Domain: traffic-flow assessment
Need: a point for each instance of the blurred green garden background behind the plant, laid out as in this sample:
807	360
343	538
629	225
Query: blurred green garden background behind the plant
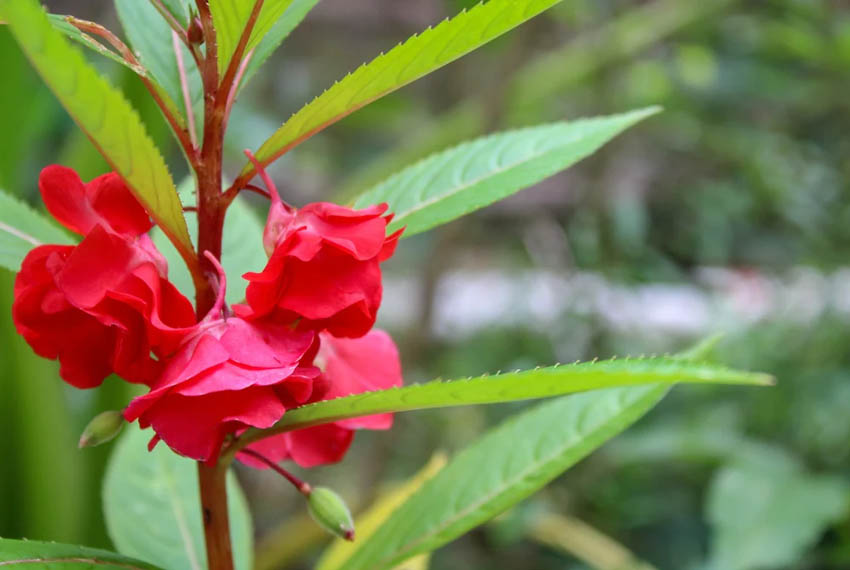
729	212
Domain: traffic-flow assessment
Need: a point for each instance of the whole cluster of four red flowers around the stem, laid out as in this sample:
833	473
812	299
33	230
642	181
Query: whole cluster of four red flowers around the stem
304	334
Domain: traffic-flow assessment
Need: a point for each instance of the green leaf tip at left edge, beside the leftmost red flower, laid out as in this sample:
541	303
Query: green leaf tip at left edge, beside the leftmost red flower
21	229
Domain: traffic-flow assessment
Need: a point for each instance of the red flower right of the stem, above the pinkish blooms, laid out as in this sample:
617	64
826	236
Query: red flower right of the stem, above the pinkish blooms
324	271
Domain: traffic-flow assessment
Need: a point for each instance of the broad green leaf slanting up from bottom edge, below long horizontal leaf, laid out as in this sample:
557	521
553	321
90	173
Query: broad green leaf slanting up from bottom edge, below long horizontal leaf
504	467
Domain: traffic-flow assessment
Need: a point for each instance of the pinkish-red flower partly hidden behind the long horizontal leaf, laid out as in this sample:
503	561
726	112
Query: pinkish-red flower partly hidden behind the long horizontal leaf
349	366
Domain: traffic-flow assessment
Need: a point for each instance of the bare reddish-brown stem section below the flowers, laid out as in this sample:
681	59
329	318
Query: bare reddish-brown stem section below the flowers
212	482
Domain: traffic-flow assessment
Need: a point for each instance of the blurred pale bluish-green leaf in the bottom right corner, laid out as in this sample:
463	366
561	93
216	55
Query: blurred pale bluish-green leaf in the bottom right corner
766	513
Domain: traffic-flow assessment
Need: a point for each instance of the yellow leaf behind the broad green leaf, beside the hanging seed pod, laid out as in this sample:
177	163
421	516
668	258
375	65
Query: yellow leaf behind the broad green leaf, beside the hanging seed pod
368	522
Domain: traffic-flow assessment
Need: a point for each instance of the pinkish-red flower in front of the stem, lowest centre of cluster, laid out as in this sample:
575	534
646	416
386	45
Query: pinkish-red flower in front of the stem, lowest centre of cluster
227	376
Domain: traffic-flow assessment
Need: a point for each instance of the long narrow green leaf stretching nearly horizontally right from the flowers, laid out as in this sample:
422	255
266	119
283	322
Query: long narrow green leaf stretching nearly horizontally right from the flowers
538	383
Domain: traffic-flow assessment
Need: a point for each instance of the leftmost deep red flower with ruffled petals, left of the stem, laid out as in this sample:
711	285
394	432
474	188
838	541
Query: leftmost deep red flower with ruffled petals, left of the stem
104	305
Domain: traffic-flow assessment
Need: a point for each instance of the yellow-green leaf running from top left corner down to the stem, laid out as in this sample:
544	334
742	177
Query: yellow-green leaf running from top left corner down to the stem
102	112
